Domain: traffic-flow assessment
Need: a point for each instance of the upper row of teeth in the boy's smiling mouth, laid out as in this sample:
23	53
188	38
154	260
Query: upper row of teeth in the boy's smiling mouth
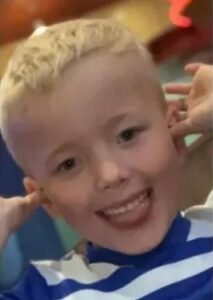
127	207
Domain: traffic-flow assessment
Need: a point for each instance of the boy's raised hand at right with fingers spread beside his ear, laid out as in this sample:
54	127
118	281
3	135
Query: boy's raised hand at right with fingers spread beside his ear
196	110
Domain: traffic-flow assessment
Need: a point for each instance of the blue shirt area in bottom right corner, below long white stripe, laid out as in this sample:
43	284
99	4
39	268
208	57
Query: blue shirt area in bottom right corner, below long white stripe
198	287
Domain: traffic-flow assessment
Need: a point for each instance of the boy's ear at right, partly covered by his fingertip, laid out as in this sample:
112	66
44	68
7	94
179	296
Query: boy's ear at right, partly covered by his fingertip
172	118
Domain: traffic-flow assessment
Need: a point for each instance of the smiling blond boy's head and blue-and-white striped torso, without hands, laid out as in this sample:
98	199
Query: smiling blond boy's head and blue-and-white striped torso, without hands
83	114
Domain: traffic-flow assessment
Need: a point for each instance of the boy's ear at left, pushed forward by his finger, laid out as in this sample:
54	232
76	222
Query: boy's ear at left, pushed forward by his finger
32	186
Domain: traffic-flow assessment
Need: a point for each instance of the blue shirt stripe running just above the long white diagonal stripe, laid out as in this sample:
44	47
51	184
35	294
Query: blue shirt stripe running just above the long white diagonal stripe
35	287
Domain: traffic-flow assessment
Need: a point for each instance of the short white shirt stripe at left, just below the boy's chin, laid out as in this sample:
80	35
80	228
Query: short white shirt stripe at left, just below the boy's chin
76	269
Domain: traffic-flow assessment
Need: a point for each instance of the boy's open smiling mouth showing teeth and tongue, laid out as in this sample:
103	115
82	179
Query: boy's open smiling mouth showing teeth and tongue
131	212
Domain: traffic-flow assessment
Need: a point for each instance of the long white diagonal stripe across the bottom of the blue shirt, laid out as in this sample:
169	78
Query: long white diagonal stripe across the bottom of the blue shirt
151	281
